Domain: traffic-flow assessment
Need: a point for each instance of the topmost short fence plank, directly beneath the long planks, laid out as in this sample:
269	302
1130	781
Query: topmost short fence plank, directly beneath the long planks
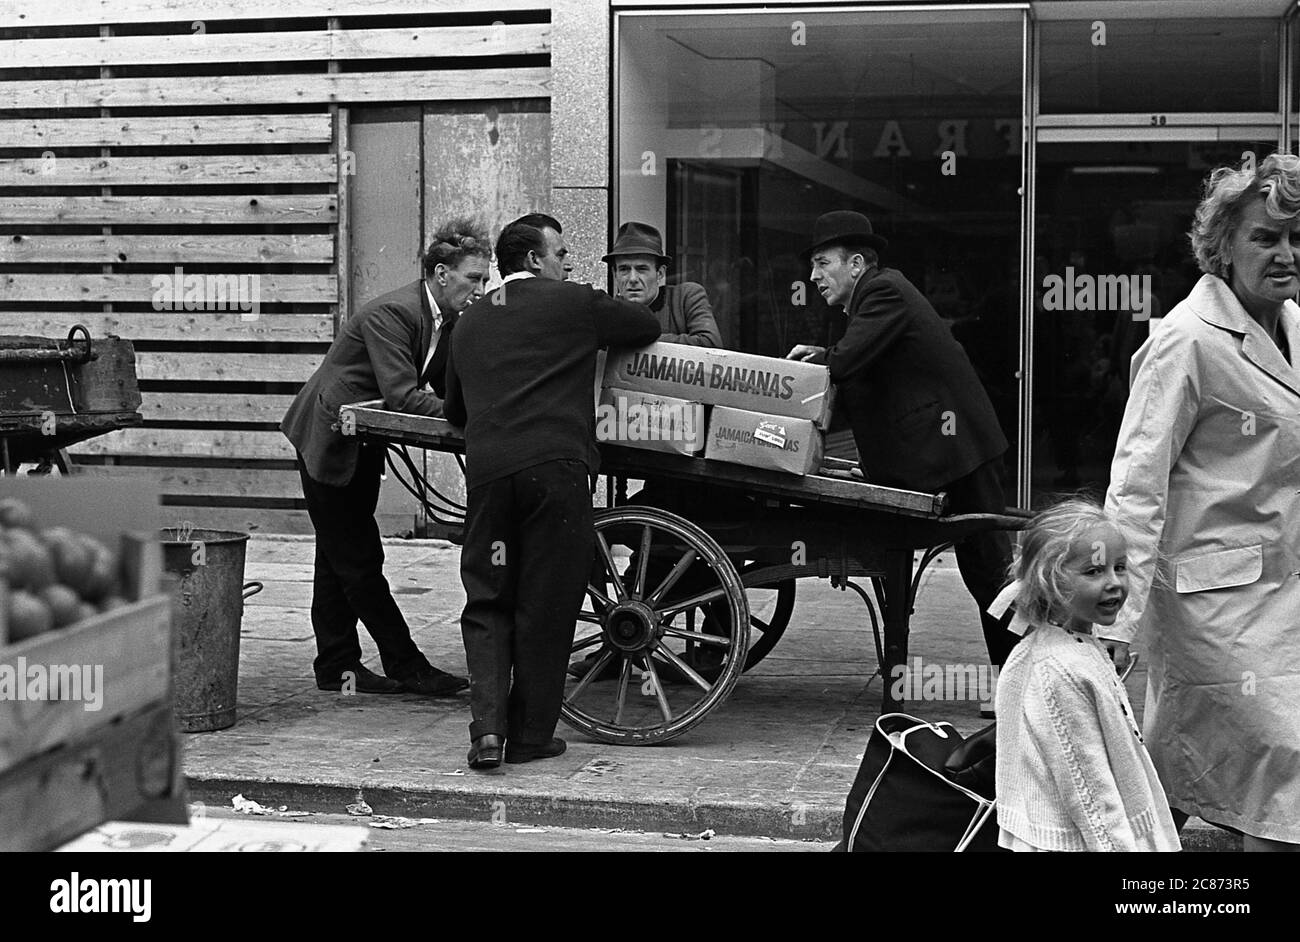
172	131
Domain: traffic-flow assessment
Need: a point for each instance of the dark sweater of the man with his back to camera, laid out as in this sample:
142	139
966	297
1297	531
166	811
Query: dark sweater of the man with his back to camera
521	374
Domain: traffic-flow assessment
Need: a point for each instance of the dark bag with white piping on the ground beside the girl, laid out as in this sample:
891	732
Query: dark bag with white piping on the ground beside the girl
904	801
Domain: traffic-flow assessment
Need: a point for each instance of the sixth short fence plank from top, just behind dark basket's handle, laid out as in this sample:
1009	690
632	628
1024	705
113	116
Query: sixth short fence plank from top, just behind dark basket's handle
224	327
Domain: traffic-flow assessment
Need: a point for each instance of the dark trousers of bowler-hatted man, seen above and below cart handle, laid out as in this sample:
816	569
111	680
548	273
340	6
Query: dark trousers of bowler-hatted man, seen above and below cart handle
985	558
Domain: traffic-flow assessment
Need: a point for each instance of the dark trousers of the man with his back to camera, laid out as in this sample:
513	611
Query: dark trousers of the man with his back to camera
530	542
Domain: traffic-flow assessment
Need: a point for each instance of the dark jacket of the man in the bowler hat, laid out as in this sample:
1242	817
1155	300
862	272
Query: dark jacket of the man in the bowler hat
921	418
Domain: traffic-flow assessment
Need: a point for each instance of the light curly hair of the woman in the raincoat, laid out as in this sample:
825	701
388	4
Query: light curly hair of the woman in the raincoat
1277	180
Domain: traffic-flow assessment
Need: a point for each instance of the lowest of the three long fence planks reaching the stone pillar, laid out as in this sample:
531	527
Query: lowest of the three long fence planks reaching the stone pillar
345	88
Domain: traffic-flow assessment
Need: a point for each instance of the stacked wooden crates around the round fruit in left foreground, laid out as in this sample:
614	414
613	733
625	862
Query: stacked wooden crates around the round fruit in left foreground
67	769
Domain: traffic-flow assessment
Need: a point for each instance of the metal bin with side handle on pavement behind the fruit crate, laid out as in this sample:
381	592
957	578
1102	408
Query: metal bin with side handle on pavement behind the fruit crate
207	609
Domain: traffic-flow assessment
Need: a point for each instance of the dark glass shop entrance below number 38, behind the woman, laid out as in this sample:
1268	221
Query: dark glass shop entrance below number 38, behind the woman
1112	257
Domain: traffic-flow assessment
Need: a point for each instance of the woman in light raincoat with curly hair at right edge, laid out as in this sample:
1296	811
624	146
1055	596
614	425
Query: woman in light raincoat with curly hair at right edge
1206	484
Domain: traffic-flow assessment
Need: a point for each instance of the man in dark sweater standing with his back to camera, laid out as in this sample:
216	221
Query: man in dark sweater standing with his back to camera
519	381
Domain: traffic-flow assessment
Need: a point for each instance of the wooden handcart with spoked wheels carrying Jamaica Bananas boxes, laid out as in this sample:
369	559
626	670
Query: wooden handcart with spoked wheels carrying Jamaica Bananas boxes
679	609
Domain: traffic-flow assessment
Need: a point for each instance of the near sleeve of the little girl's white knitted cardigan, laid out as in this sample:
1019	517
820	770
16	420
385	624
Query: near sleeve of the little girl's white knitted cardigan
1071	737
